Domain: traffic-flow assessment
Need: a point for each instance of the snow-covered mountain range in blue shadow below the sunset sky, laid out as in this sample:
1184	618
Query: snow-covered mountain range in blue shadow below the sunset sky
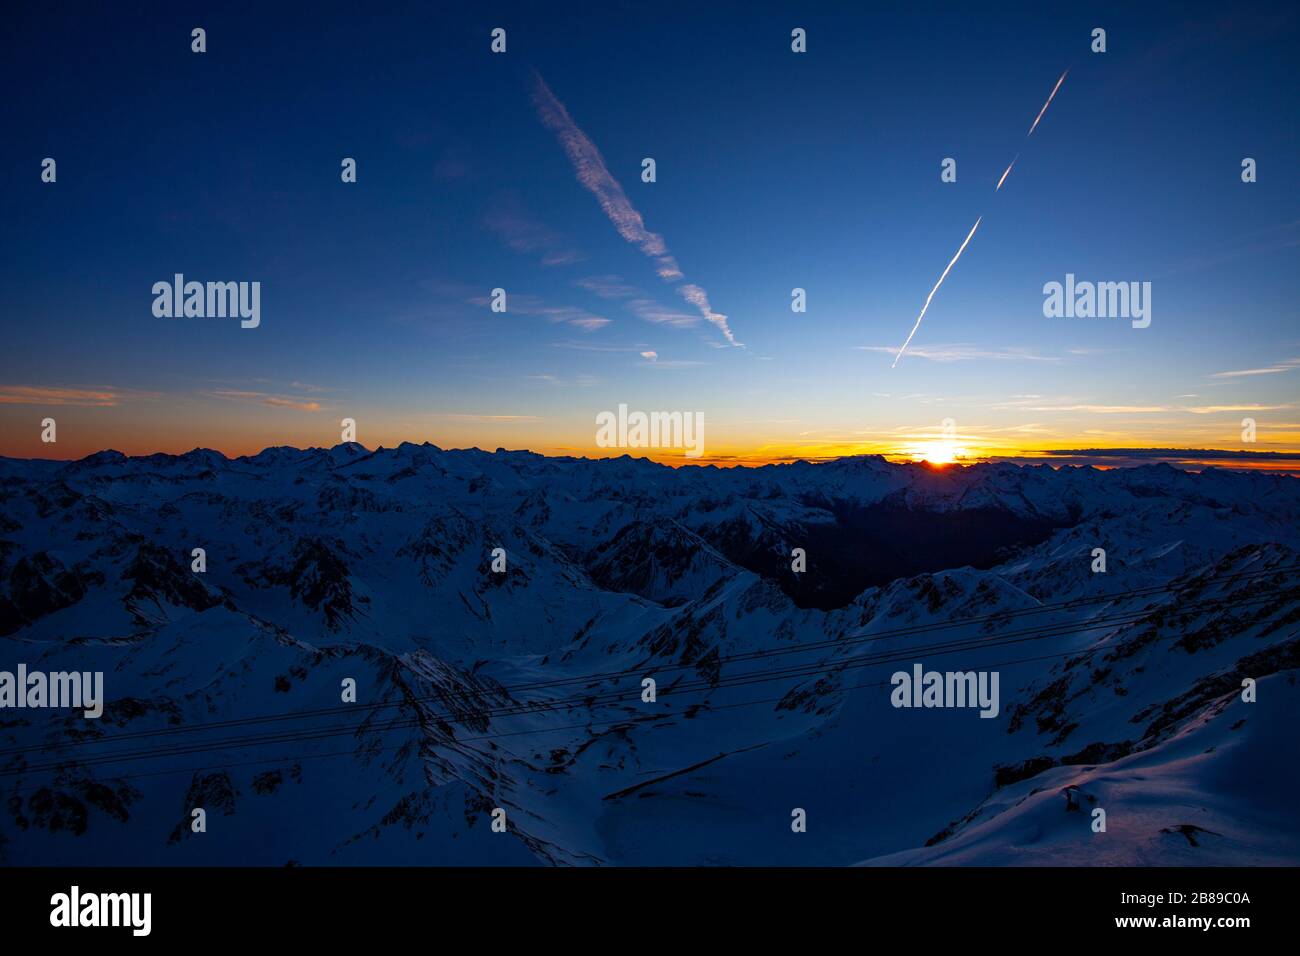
521	690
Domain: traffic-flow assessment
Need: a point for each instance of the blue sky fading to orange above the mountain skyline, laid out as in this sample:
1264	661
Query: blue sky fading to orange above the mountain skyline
522	171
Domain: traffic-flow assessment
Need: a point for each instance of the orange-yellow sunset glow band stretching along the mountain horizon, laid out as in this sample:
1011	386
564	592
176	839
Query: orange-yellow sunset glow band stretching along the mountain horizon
180	430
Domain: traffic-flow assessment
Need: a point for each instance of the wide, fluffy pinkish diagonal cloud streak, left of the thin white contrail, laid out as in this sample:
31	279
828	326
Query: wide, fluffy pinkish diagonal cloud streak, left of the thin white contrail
593	175
